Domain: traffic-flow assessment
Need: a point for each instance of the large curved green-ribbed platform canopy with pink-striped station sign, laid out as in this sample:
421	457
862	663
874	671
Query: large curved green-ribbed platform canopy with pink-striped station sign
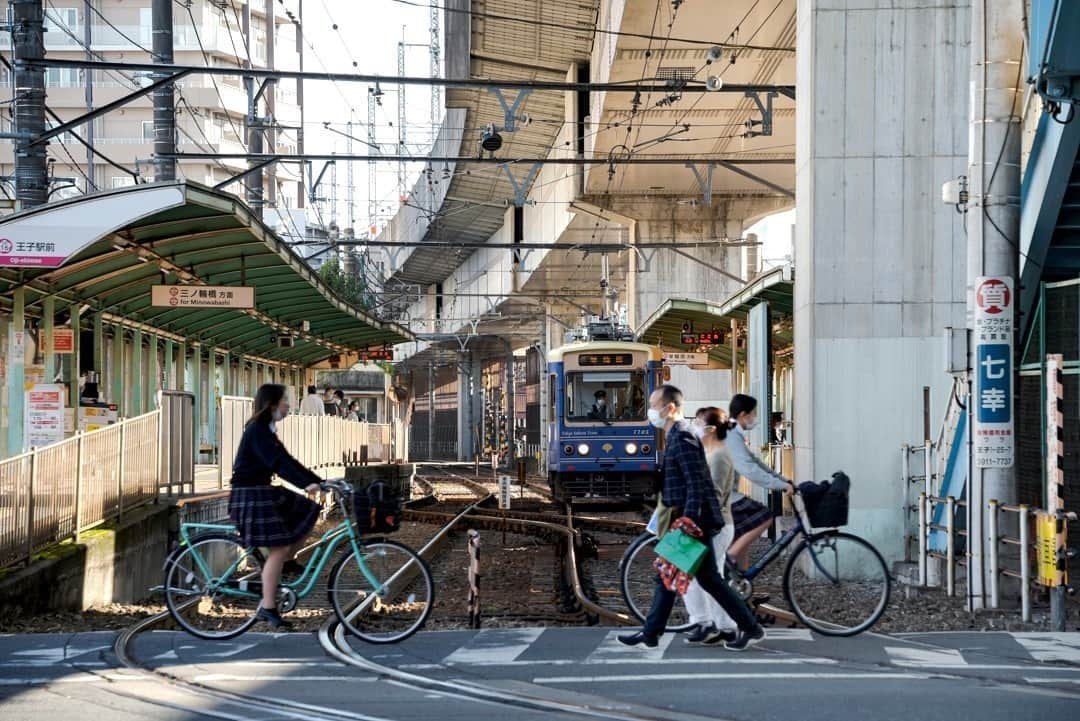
117	246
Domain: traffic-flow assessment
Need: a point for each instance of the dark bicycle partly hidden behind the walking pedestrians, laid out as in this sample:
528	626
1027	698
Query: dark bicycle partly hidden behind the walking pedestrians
836	583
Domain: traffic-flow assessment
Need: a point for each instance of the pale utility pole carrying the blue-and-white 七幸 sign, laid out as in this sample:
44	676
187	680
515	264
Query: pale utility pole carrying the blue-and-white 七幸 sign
997	59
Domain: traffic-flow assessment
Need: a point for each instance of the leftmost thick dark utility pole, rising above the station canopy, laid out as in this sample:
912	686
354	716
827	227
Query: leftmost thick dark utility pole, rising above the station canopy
32	167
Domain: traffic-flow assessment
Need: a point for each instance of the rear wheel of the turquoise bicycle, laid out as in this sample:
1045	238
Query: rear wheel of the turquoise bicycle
219	598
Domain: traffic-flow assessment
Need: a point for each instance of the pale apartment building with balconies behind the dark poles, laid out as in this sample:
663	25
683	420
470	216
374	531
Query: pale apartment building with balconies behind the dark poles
210	112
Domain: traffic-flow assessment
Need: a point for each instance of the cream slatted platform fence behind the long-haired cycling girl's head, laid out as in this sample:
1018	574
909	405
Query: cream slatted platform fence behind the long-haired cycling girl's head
318	442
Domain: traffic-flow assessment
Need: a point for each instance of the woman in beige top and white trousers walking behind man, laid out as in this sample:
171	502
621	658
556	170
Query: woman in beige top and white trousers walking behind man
713	623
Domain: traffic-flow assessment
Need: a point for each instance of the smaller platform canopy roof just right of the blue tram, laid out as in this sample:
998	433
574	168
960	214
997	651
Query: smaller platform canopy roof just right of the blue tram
777	288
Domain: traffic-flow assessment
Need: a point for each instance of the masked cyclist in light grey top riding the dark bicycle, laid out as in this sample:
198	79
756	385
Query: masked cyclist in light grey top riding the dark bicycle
752	519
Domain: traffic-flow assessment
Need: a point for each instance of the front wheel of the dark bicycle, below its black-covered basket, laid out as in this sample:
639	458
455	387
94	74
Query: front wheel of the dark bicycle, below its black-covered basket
838	584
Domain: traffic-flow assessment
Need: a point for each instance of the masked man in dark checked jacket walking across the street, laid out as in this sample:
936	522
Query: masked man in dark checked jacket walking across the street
688	489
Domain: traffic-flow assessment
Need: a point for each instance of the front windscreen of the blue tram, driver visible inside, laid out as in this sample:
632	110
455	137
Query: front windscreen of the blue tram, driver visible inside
609	397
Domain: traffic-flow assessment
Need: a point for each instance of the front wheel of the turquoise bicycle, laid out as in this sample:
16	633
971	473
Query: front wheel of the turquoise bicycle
394	610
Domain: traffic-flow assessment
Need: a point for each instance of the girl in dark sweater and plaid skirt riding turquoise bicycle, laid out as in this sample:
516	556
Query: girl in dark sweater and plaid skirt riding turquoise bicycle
271	516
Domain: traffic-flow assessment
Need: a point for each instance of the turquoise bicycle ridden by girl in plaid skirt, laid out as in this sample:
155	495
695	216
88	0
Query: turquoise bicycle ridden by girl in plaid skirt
382	591
